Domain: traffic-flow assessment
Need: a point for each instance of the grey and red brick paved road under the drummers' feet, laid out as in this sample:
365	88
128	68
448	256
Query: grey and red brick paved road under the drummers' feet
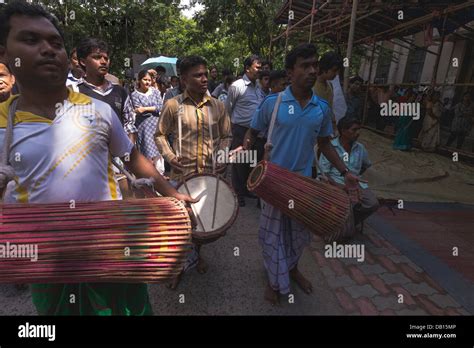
397	262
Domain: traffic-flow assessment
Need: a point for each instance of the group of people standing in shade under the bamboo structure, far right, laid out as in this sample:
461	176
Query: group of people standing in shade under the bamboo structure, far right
437	115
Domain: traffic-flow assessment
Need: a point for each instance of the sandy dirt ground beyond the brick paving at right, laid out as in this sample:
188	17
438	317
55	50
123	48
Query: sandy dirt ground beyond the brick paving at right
416	175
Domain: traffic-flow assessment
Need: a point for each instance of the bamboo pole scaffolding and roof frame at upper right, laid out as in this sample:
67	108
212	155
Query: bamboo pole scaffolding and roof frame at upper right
366	22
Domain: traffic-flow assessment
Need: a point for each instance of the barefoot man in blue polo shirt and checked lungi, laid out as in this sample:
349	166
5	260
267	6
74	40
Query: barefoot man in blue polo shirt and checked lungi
302	120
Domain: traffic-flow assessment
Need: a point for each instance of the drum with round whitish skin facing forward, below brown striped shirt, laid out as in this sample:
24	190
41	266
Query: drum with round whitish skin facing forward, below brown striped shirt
217	209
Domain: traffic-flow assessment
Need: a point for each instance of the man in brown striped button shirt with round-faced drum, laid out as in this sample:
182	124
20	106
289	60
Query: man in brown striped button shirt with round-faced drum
199	125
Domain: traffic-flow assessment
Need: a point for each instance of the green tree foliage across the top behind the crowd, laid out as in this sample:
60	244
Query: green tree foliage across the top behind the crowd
225	32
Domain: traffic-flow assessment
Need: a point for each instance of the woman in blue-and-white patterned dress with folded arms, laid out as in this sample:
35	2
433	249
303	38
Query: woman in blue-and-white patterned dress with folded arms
145	106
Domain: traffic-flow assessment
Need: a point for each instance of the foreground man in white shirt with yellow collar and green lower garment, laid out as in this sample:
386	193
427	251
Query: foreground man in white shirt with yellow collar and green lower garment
60	151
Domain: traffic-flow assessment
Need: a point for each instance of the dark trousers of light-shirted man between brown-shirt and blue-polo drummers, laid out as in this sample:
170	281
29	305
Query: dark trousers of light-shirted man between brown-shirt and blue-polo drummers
241	171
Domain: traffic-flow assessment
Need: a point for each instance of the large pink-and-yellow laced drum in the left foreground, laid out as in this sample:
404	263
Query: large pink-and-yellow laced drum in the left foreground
138	240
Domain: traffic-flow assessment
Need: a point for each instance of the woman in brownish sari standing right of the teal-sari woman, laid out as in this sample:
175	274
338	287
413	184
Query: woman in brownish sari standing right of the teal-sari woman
429	135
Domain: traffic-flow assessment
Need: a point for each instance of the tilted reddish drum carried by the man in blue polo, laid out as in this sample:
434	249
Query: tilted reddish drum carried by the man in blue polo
323	208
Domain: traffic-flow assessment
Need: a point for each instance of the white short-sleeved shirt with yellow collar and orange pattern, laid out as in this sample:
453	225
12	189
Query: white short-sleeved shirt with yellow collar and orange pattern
68	158
